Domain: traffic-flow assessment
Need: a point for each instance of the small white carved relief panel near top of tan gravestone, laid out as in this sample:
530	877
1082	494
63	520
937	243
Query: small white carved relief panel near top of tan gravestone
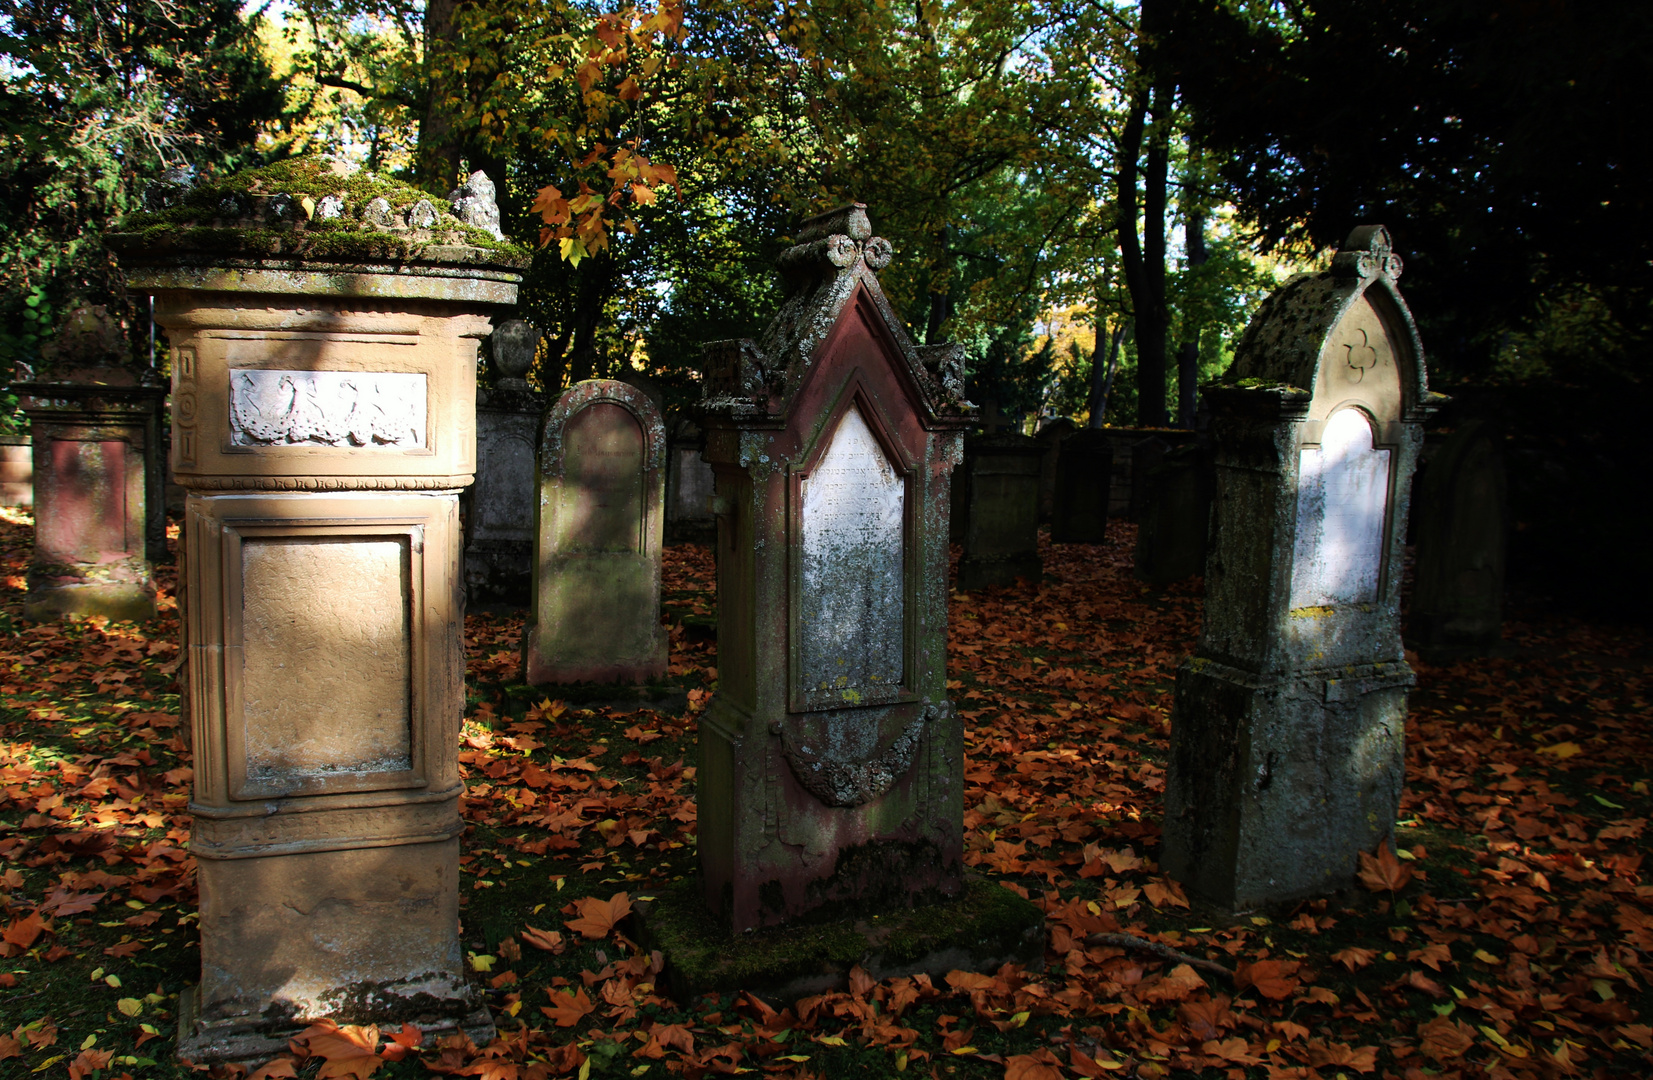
272	408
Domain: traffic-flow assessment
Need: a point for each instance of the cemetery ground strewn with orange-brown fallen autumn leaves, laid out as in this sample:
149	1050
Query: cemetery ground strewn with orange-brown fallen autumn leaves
1508	935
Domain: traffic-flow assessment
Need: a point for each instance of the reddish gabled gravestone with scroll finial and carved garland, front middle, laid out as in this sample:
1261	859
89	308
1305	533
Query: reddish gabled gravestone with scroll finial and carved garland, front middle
831	757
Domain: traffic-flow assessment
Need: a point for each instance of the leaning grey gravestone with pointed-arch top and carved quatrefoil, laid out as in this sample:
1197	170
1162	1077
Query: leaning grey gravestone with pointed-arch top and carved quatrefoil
1287	738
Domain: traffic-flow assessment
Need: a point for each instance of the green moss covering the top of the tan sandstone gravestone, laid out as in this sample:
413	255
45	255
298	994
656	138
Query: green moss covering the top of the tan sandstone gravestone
244	216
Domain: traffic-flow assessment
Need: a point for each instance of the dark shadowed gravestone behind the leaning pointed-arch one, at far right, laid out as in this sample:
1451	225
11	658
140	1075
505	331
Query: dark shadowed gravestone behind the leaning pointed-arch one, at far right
1462	527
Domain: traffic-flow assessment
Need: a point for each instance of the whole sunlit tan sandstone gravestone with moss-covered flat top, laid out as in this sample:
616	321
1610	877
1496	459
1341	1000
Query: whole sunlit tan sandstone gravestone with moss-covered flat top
325	406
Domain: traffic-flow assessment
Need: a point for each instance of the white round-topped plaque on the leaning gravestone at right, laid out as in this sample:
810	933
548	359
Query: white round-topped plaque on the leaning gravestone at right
1343	499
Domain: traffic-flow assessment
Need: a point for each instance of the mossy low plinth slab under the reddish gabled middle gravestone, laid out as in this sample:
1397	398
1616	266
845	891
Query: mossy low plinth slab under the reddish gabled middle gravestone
989	927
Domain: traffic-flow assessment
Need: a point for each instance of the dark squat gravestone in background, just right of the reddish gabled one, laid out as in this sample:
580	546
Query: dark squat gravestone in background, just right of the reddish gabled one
998	500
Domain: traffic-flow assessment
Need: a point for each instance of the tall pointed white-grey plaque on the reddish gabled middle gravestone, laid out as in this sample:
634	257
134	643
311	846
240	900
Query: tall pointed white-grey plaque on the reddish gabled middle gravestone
852	621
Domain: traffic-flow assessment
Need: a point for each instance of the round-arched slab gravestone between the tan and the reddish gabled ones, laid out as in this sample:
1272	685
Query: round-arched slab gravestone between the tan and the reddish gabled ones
603	475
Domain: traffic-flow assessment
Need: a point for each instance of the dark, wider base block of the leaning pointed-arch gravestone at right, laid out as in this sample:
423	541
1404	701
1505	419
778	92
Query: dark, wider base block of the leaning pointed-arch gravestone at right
1279	786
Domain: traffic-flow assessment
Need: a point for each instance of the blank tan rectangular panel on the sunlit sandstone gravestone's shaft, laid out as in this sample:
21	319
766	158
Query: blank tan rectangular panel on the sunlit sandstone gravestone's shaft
326	679
